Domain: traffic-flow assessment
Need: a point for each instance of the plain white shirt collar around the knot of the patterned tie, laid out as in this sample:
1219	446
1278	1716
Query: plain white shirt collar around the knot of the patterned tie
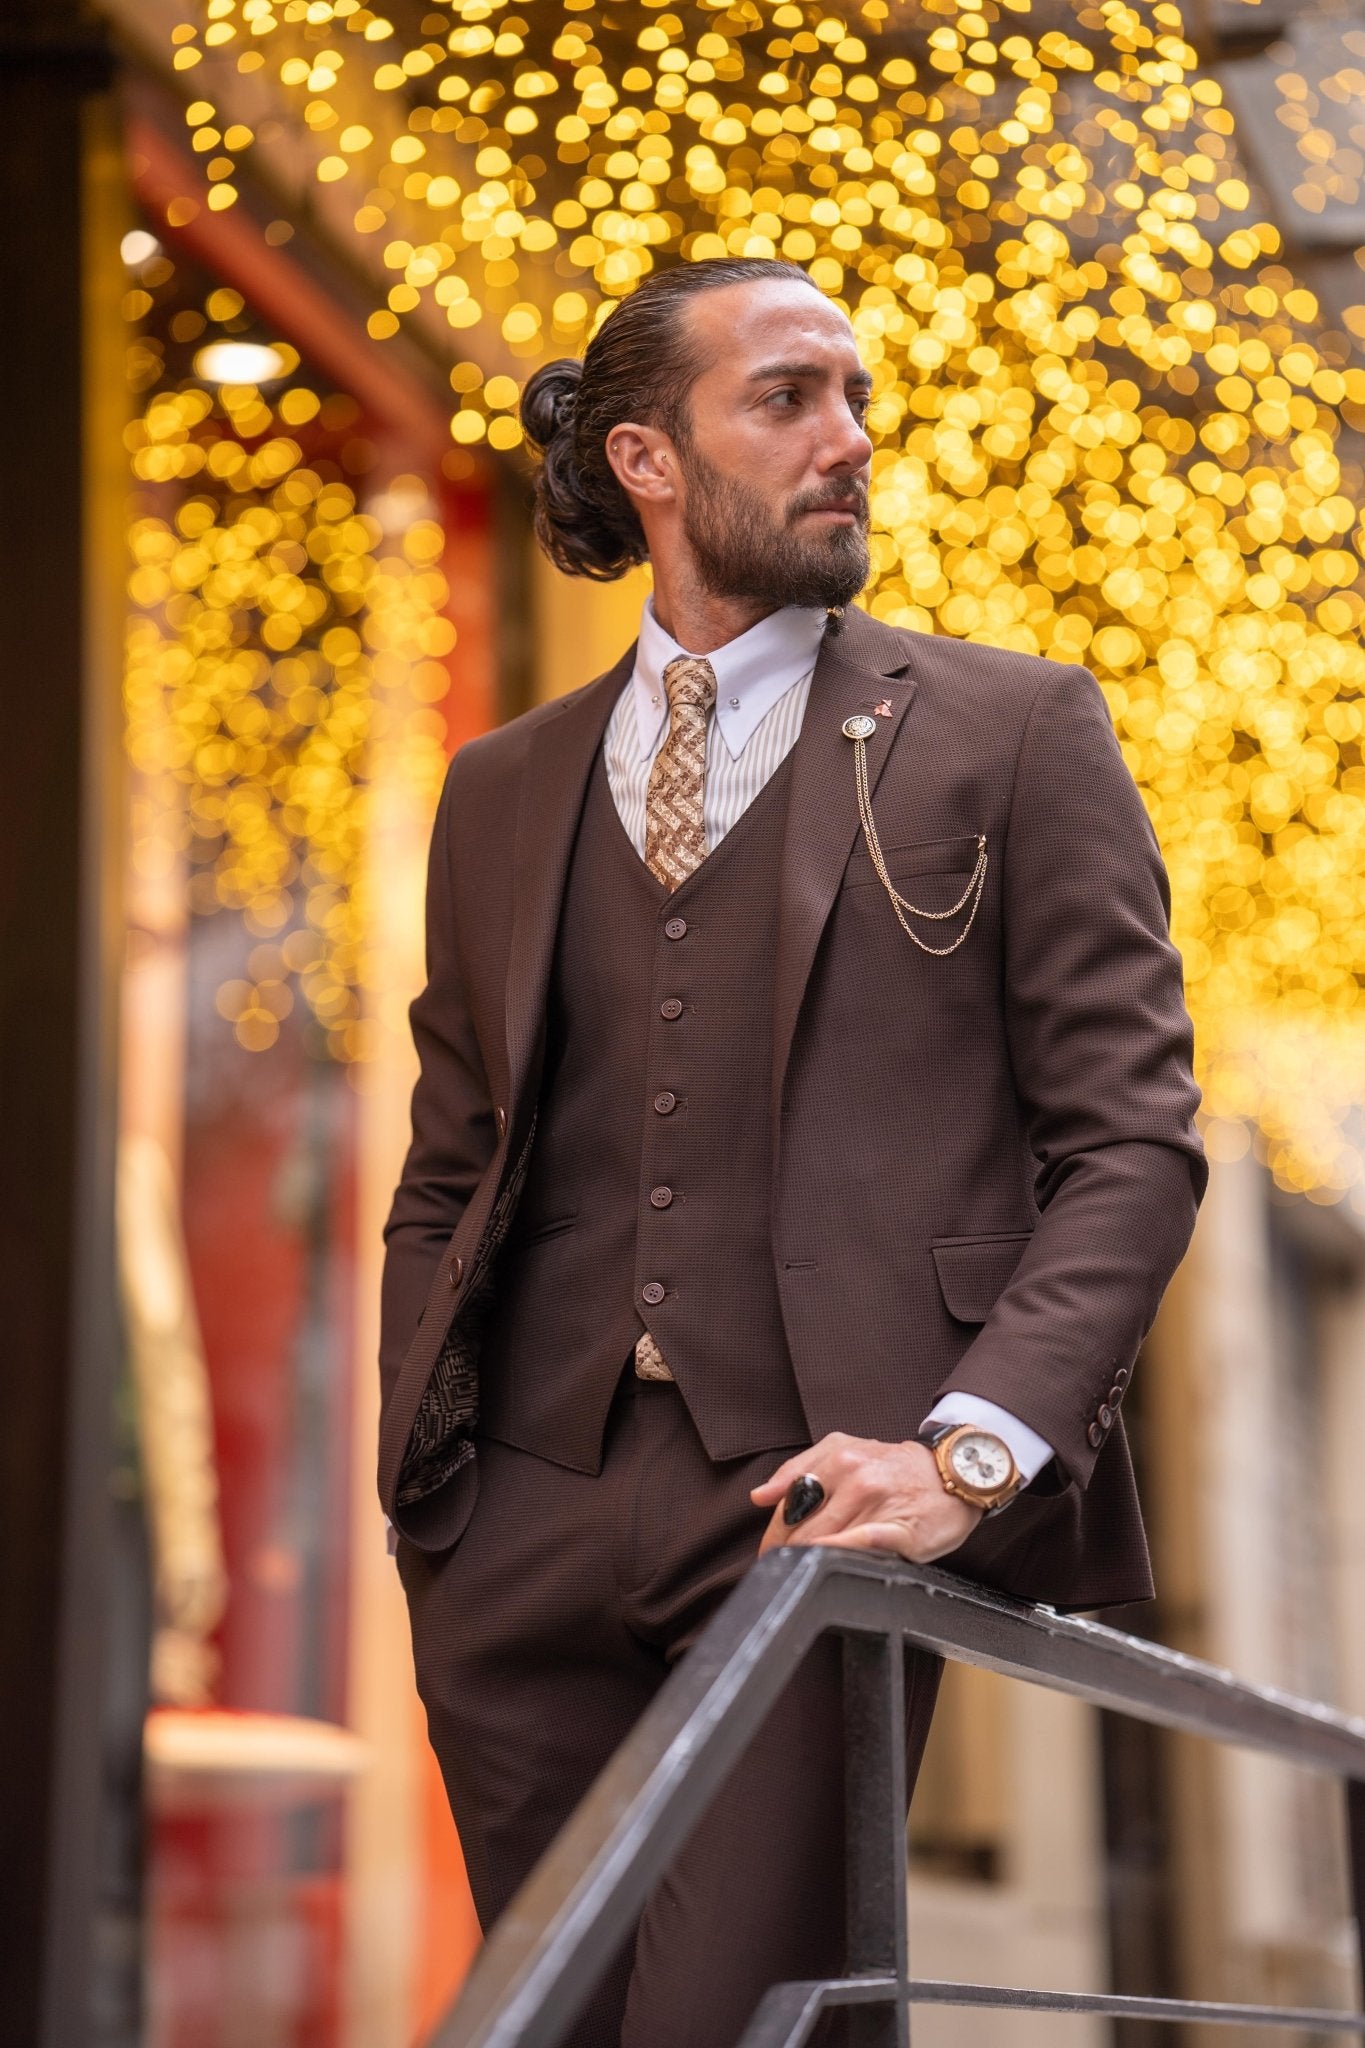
752	673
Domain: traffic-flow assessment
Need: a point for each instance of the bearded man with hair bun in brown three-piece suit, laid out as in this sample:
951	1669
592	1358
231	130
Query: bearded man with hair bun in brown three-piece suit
805	1091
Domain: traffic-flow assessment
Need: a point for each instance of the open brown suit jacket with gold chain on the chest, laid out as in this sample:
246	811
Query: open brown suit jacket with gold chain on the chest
985	1166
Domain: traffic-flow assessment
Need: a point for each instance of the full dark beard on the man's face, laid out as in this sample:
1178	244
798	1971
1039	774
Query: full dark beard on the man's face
744	552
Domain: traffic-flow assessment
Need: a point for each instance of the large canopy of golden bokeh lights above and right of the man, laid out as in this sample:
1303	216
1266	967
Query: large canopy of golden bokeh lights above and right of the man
1108	421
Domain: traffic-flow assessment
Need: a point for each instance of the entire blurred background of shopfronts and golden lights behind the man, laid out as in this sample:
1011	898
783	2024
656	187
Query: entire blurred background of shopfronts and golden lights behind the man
277	269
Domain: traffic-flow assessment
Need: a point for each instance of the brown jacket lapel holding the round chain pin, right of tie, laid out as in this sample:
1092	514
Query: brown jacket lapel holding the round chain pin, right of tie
856	671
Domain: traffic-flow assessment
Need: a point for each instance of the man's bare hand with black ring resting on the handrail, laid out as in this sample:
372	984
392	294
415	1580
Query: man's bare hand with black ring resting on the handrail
877	1498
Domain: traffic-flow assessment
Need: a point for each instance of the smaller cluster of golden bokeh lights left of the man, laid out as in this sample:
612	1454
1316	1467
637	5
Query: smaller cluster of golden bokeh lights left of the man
277	640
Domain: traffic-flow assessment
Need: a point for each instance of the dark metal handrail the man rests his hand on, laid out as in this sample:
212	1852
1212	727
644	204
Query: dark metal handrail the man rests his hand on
564	1928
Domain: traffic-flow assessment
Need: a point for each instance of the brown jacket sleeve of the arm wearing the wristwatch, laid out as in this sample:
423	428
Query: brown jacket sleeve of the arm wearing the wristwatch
1102	1054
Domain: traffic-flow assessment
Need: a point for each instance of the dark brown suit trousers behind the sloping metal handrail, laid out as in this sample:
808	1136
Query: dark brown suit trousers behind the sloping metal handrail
541	1639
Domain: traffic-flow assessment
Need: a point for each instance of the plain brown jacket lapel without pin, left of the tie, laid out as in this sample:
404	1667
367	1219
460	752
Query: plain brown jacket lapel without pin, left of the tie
554	787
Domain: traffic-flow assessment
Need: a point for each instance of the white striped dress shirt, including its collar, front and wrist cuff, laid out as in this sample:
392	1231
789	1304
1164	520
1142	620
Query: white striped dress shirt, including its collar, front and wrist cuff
762	689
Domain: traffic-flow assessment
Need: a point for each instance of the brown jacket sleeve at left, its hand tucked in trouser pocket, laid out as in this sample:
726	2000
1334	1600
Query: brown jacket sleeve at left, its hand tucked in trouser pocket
453	1136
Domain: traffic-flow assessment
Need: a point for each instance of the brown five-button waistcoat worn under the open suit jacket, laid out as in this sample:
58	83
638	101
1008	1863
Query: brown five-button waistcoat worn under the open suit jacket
652	1154
